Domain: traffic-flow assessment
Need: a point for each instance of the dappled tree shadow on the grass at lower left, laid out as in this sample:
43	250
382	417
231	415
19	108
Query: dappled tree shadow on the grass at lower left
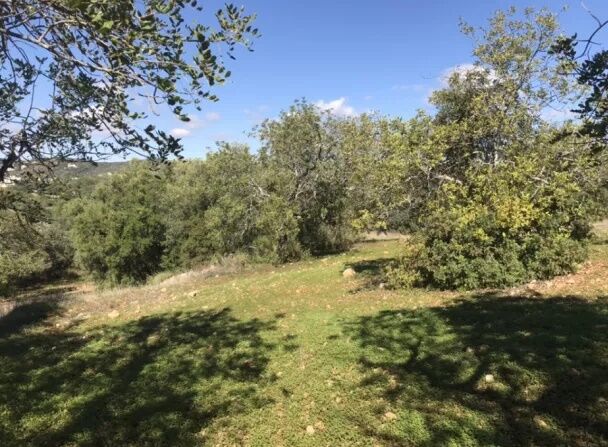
161	380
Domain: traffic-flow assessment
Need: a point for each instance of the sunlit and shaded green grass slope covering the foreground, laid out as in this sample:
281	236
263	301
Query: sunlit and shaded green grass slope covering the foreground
299	355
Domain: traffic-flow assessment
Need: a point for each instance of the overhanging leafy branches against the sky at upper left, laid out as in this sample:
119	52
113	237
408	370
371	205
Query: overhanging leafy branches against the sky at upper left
72	73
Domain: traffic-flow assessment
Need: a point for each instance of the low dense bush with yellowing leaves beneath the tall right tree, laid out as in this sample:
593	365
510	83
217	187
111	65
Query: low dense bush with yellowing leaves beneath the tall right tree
498	230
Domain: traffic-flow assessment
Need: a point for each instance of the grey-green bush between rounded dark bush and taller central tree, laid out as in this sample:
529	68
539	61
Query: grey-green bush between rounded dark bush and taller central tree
217	207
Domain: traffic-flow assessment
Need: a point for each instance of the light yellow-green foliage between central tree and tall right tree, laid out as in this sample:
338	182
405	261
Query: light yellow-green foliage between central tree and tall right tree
391	162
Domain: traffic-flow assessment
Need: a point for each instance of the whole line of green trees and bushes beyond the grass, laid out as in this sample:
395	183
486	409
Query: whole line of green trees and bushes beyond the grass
491	193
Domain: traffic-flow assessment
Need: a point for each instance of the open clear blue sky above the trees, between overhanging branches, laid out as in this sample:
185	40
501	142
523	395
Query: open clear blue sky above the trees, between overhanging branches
353	56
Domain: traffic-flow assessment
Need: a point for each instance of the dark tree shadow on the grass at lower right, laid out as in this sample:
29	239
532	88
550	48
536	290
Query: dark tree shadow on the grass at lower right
489	371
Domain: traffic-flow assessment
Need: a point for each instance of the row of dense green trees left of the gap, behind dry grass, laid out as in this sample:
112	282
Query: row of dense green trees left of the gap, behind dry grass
138	222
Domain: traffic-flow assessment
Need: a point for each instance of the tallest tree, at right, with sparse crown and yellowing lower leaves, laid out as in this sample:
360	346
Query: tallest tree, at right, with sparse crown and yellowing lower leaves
509	202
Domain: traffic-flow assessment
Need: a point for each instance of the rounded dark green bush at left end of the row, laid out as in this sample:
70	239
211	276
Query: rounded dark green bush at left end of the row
119	232
